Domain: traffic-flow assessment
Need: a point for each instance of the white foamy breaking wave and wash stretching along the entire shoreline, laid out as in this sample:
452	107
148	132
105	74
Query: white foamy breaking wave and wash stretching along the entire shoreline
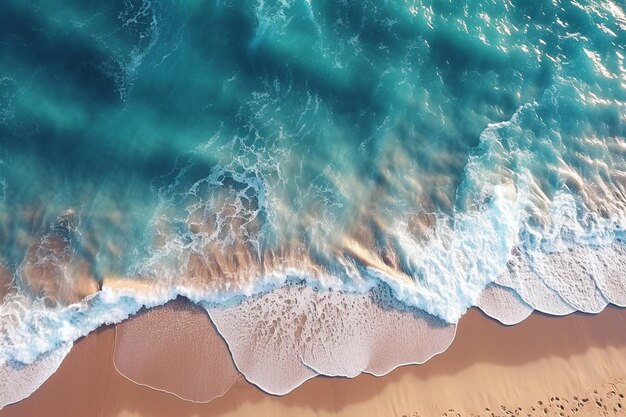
559	258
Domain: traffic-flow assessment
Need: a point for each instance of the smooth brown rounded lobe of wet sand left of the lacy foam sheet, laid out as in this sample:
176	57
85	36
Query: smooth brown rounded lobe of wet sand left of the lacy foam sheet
181	339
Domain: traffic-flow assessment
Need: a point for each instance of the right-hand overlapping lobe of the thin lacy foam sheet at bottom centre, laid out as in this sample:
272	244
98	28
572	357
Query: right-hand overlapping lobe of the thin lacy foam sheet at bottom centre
347	334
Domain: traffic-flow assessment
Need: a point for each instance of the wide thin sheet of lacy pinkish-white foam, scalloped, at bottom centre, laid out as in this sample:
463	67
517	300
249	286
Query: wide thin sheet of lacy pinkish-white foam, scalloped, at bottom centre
285	337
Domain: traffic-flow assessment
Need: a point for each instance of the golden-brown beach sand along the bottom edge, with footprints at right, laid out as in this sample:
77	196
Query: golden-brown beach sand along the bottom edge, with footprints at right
555	366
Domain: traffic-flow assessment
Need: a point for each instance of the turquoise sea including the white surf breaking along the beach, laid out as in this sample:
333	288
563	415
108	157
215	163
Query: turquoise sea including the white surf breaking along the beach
221	149
